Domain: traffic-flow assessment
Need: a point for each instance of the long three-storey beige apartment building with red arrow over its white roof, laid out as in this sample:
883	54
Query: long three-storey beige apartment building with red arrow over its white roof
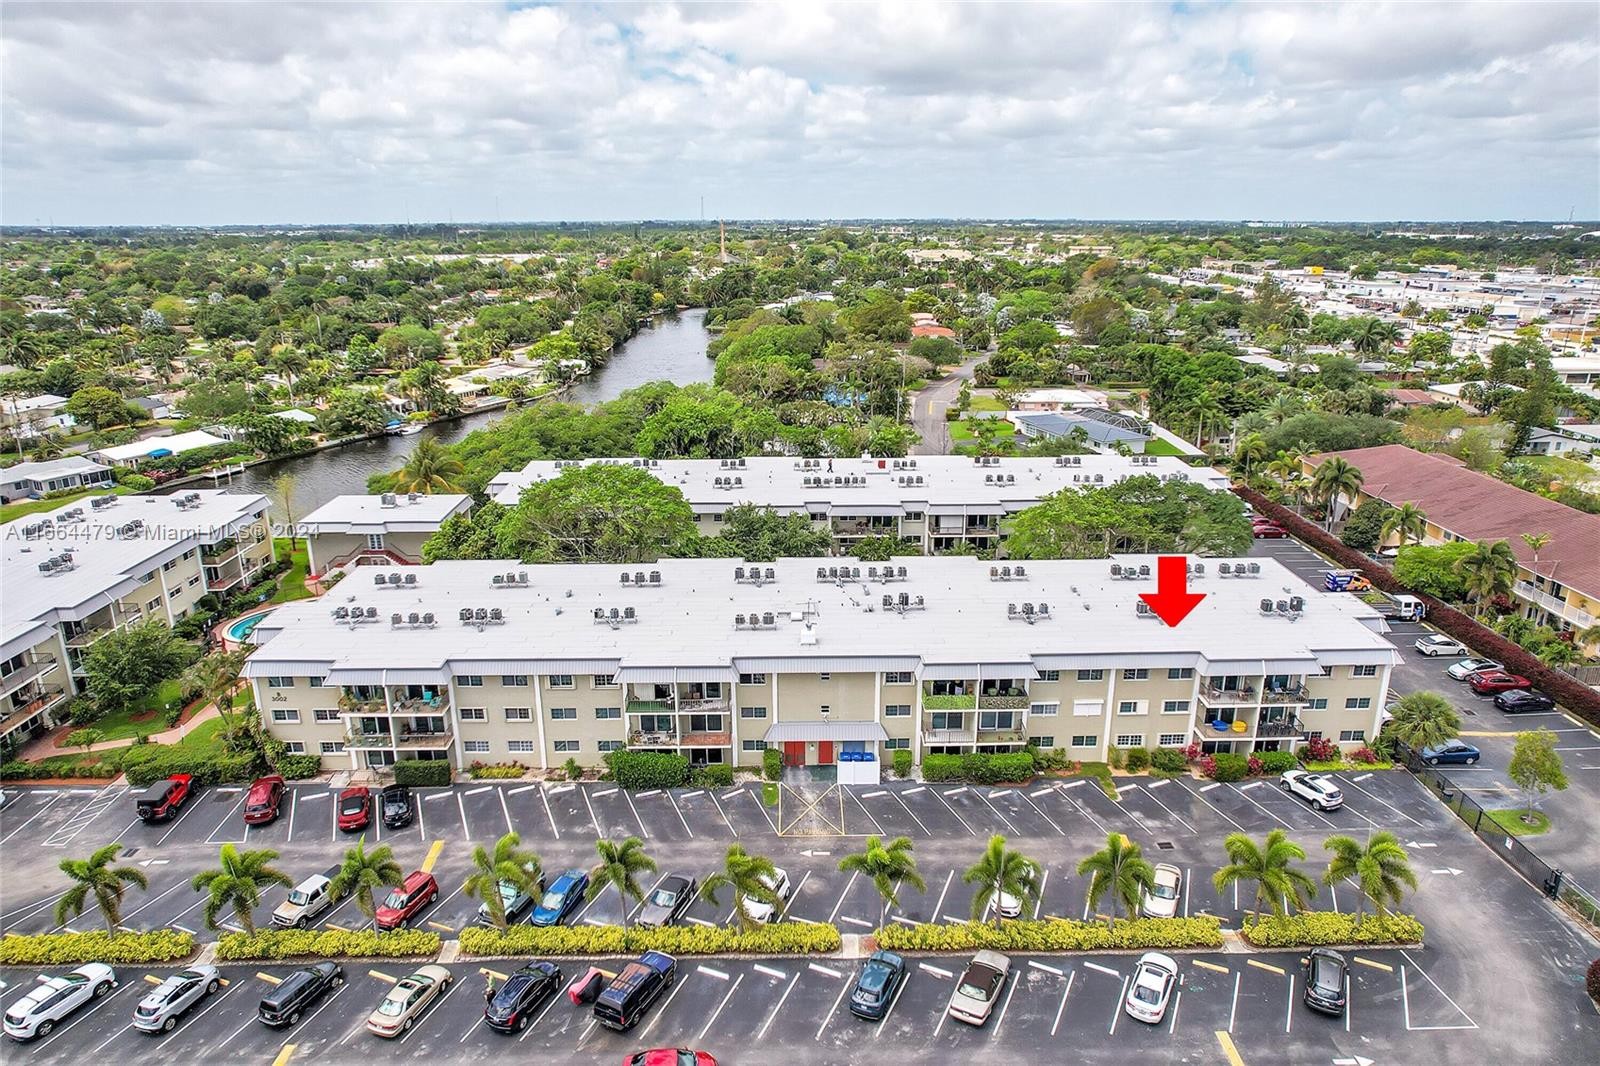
719	660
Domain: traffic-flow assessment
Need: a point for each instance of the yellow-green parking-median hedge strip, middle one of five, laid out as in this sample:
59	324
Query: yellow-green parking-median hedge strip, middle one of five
783	939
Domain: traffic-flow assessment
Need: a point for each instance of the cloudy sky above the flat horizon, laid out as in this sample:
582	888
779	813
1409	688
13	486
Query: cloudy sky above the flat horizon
265	113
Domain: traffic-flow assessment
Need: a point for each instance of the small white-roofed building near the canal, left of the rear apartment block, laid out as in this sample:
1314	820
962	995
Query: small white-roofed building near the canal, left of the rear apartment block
386	529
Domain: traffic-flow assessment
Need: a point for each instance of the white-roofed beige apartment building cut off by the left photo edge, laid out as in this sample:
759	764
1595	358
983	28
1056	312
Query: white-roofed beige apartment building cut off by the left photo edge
95	566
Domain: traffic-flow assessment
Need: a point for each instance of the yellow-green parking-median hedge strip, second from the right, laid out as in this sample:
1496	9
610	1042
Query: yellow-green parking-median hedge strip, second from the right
1057	936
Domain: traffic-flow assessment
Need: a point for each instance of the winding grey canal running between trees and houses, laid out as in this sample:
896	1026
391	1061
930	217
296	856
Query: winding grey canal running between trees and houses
670	350
